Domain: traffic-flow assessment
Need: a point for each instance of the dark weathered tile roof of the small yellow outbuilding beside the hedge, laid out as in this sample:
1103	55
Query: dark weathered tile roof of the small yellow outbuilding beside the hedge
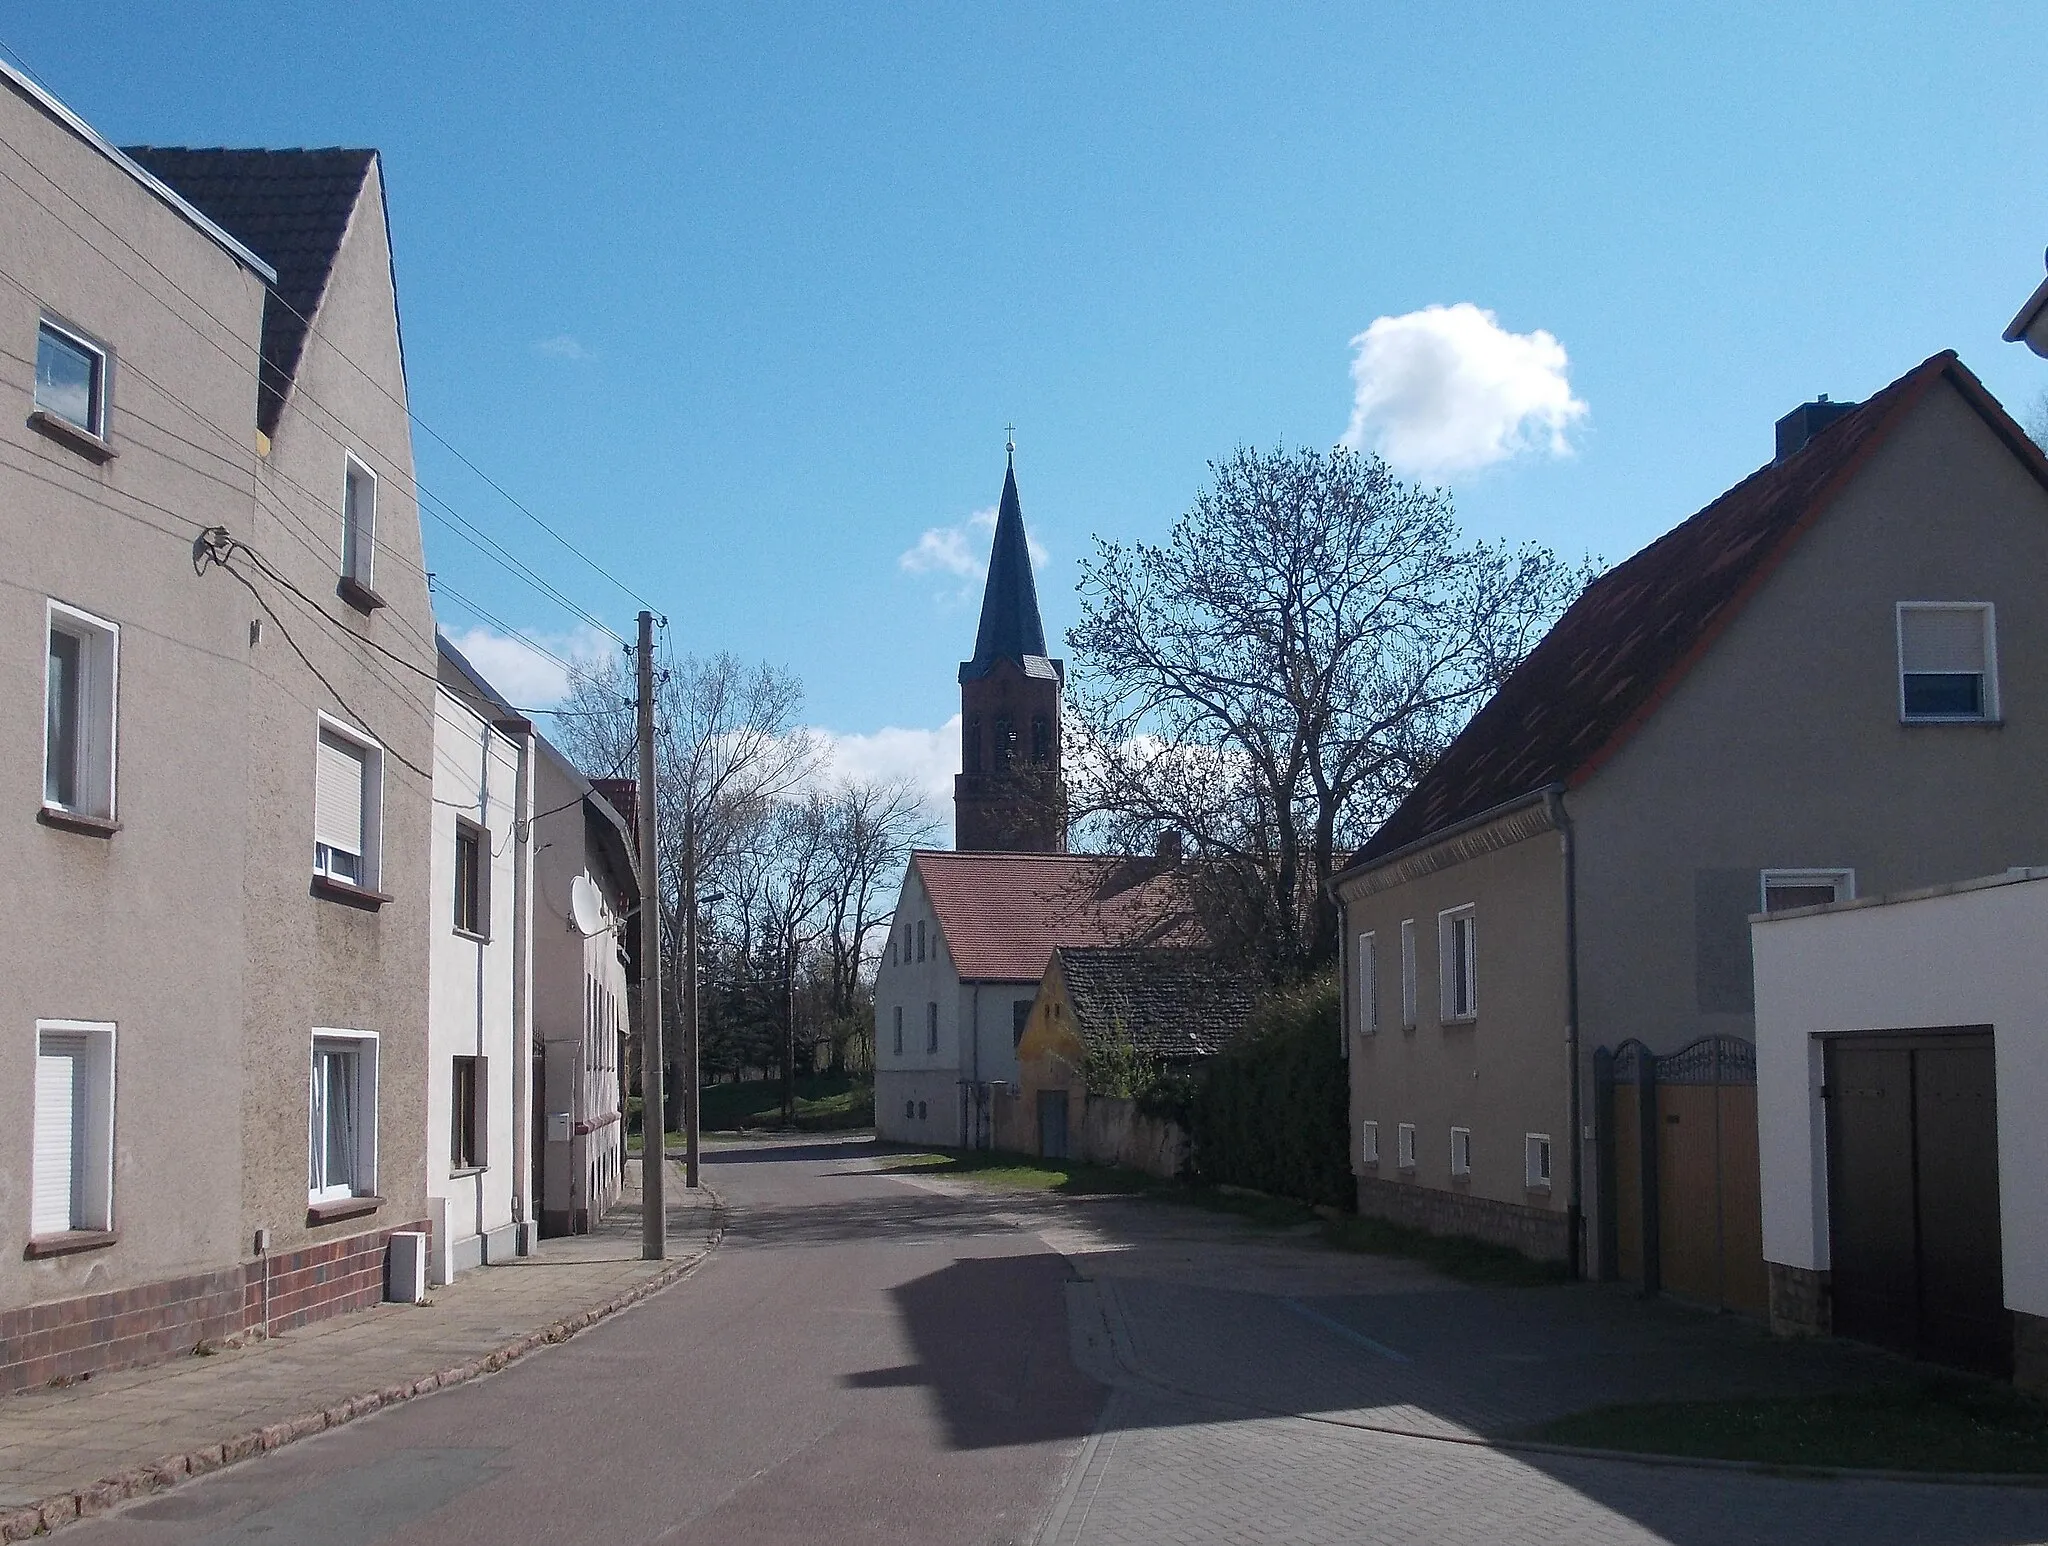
1172	1004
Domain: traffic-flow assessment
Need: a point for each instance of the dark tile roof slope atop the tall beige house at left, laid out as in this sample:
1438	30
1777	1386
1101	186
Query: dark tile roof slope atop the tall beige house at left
292	210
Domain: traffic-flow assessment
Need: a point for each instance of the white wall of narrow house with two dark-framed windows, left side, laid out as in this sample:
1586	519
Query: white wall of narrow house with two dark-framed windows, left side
472	982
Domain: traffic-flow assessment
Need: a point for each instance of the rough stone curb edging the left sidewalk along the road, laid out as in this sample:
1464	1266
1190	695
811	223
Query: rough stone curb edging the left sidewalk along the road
32	1520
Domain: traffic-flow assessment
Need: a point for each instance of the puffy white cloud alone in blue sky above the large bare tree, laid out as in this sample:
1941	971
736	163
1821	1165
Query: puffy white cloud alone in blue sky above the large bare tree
1447	390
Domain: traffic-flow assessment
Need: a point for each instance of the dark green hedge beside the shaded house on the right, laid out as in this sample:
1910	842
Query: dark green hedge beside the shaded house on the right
1275	1111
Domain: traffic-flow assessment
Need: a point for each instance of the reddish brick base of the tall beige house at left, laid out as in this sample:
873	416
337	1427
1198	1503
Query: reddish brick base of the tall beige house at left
69	1338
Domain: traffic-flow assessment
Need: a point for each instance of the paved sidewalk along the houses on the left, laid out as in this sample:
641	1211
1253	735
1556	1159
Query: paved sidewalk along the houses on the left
69	1441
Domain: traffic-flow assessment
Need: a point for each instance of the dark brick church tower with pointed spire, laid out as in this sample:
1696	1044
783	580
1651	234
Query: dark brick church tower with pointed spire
1011	796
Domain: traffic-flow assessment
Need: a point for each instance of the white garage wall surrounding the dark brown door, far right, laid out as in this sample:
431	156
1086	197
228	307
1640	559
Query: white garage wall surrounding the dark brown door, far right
1965	957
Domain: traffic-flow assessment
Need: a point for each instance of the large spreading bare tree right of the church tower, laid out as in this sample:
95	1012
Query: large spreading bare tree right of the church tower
1273	679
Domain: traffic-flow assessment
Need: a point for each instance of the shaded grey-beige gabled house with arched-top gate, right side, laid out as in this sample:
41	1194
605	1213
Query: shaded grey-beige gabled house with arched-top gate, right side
1832	681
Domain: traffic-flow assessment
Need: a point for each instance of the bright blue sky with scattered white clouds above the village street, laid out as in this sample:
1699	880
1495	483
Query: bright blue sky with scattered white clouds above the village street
740	300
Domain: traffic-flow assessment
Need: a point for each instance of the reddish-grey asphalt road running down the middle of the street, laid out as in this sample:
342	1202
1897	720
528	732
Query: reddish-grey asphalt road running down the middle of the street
859	1363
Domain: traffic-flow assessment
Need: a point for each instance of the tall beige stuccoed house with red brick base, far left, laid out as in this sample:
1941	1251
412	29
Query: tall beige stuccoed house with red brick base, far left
214	984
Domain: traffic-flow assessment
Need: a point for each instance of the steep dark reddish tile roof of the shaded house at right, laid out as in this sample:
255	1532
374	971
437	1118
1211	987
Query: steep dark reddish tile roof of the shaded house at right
1631	638
